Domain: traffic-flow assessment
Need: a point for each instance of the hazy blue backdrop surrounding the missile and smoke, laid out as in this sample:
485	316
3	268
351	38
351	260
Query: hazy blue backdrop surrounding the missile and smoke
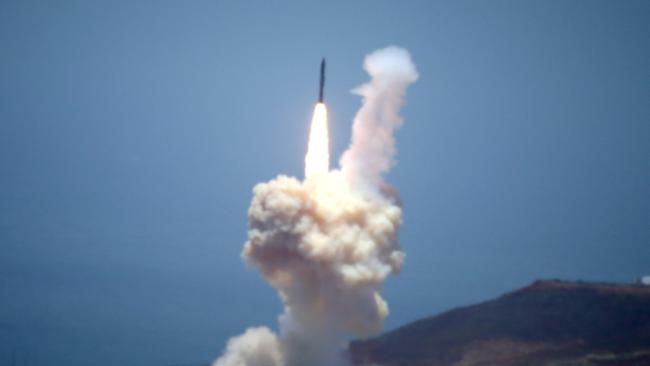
132	133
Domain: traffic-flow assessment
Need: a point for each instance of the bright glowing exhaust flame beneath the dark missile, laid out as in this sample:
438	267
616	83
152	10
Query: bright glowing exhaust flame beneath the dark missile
317	160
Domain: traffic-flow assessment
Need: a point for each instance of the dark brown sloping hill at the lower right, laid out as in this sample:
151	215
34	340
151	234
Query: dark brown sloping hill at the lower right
549	323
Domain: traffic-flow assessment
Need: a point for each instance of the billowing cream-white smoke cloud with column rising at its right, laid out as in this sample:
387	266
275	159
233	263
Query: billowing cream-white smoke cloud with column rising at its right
328	243
